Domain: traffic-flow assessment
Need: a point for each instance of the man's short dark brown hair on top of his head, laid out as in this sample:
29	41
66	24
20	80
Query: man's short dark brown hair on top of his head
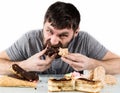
63	15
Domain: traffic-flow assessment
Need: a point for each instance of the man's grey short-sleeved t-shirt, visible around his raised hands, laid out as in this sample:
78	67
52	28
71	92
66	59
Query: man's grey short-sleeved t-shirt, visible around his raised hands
32	42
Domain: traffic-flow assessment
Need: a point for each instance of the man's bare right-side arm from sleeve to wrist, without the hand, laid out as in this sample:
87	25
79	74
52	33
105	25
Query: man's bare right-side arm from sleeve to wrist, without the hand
111	62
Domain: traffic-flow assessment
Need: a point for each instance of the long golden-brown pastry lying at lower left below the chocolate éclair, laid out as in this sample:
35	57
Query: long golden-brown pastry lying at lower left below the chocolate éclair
6	81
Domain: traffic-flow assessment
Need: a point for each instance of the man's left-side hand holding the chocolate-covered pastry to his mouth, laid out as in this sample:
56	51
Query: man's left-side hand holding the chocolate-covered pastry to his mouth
36	63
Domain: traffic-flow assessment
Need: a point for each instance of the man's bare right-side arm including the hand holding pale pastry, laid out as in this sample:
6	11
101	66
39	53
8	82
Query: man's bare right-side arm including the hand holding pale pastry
79	62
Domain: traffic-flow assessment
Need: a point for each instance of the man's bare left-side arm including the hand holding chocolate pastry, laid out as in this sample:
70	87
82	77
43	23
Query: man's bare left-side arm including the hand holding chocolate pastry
34	63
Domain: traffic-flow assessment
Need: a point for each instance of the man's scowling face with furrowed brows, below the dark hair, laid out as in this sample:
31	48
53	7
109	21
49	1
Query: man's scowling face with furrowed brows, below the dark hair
64	36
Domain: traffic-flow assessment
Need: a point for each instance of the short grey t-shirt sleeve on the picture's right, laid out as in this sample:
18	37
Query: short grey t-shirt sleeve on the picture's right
94	48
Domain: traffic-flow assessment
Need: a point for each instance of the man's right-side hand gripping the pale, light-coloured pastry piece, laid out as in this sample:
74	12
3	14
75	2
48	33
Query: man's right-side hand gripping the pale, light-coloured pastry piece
78	62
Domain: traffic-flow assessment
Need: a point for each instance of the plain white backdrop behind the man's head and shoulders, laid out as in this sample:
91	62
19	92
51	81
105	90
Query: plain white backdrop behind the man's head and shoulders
100	18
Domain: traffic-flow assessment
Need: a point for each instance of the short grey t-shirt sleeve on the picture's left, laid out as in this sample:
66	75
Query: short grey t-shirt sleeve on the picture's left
16	52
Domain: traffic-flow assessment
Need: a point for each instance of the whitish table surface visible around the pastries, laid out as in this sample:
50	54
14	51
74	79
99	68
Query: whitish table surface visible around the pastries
42	87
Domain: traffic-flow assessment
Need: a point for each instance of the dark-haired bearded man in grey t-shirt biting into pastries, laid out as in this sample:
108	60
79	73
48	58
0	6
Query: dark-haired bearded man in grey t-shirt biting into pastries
61	24
